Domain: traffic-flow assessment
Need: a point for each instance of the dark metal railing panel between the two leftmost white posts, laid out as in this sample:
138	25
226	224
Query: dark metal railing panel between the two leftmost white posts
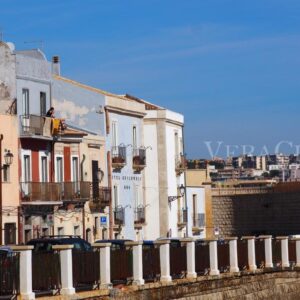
46	274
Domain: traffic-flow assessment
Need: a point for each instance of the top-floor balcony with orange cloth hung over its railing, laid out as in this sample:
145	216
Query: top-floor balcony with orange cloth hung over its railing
33	125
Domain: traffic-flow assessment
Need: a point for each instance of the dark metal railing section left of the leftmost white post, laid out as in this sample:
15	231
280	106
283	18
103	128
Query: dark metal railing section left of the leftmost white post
9	274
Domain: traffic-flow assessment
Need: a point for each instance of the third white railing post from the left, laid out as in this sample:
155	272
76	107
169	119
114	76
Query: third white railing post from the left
105	280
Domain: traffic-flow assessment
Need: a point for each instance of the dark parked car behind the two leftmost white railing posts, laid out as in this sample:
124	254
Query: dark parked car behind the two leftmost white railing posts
45	243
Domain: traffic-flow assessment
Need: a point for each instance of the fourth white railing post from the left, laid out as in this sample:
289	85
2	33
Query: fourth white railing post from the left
137	252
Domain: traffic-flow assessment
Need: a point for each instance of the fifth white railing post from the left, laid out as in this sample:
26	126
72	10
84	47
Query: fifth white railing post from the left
164	254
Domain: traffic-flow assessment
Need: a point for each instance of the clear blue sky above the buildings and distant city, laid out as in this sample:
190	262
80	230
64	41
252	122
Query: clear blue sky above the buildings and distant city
231	67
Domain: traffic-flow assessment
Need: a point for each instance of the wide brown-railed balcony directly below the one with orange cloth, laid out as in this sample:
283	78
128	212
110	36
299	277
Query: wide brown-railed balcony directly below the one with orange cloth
41	192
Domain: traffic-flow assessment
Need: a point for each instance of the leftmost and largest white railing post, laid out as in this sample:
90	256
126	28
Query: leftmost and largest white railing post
25	271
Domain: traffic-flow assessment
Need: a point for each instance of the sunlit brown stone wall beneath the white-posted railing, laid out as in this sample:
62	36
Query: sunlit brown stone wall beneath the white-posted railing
278	285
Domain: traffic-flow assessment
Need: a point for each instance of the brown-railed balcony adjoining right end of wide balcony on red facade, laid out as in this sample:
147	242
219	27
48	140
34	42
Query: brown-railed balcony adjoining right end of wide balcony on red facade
78	191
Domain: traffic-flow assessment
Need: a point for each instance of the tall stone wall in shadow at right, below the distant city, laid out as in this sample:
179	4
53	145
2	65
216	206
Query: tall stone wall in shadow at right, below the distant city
276	212
